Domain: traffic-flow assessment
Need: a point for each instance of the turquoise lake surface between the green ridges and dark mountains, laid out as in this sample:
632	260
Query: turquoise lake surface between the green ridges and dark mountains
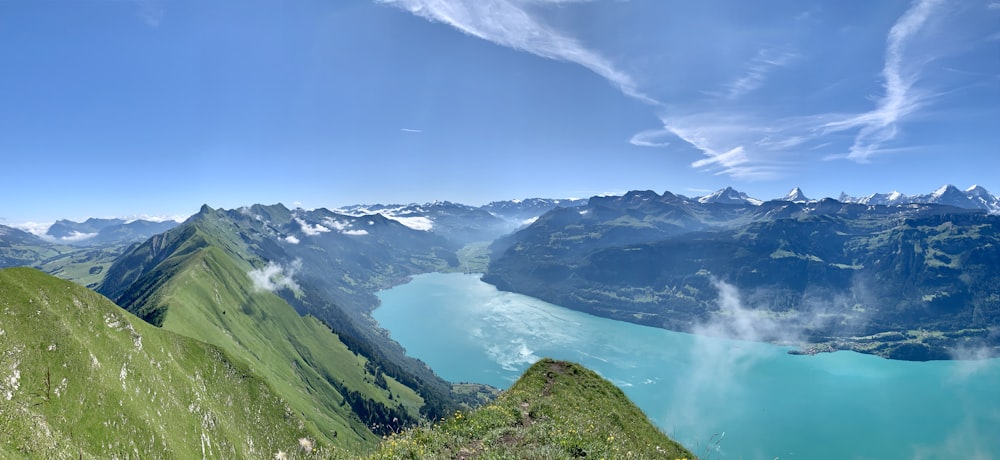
768	404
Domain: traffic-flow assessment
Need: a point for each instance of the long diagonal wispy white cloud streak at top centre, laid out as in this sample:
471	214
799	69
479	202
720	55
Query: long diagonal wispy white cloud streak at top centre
511	23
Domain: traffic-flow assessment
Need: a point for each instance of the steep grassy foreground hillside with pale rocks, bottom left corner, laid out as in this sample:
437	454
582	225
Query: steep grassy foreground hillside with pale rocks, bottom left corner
81	378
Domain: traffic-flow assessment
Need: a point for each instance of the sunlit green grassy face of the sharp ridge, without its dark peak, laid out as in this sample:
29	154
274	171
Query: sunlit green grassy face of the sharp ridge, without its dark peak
210	298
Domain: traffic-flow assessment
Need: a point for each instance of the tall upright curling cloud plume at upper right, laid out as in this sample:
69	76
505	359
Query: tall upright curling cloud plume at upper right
901	98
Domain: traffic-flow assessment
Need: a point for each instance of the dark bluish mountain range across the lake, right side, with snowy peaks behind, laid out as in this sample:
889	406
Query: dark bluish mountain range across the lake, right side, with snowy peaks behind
841	274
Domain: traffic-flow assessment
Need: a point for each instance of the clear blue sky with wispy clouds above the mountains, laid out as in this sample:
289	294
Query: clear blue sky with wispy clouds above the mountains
122	108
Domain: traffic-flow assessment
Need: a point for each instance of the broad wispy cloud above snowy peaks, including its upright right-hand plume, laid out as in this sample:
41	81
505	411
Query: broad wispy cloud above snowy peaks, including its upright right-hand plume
760	146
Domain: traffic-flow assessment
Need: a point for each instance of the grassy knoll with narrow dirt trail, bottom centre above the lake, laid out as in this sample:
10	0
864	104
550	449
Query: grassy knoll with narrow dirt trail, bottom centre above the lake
555	410
